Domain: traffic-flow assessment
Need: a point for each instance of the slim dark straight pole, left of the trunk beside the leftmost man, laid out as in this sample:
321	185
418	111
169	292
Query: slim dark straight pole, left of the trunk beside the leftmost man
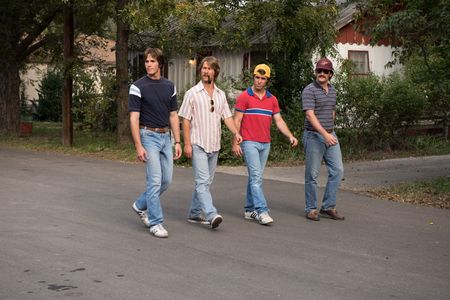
68	79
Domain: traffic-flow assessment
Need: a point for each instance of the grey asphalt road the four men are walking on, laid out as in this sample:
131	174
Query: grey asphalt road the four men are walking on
67	231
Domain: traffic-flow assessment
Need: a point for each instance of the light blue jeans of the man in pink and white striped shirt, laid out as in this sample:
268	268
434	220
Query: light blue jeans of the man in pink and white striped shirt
204	166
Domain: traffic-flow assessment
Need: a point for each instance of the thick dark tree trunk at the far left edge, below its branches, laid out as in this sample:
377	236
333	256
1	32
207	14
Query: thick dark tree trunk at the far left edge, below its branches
9	97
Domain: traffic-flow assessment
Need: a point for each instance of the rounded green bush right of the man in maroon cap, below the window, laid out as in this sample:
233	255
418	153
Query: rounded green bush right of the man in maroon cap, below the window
377	111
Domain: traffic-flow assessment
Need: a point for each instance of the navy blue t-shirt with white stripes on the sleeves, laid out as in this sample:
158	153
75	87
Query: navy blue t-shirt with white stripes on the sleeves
154	99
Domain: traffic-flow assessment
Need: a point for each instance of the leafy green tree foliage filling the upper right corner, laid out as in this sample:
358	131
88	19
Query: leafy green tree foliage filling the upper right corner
419	31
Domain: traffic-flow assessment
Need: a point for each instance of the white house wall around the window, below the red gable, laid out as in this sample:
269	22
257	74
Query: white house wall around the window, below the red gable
379	56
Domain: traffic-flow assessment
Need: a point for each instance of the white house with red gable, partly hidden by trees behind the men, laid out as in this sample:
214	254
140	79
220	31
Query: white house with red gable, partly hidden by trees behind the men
350	45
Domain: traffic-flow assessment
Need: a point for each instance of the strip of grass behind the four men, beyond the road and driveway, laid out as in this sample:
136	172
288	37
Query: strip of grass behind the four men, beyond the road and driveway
47	136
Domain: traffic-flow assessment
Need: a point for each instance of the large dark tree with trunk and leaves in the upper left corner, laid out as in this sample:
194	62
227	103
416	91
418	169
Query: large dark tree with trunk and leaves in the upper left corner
35	28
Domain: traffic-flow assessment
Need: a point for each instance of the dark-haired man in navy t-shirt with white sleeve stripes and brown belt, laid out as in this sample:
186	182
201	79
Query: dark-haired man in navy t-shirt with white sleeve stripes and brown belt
152	104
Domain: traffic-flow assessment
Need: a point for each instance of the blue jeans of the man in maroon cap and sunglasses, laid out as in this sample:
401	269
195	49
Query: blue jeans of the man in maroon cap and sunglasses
315	151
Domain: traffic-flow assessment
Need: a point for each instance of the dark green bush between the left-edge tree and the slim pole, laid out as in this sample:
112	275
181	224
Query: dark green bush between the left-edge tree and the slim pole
49	106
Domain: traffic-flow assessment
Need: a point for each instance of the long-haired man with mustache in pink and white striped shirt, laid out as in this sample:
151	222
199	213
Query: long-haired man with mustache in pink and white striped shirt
203	108
